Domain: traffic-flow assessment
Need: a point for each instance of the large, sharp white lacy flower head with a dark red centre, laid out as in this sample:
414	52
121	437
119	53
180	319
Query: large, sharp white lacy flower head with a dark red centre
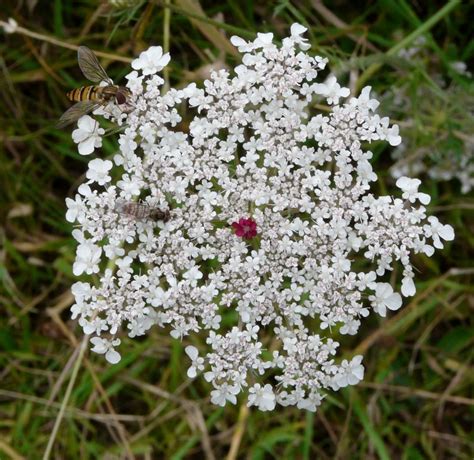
272	225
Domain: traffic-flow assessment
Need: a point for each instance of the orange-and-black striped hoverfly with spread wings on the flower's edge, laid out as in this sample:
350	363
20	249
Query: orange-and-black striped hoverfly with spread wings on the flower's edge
89	98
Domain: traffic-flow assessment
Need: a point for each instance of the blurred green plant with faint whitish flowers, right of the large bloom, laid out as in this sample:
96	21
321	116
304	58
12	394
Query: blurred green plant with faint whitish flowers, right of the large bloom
447	152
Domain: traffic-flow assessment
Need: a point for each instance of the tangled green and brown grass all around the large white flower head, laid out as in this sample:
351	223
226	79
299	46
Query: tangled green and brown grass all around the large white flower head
416	401
